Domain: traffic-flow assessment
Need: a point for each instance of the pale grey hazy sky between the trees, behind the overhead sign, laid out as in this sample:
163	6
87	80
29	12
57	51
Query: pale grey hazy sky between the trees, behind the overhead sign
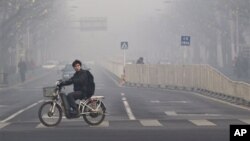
126	21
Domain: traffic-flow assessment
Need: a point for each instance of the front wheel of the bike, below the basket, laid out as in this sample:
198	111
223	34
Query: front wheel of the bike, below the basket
48	116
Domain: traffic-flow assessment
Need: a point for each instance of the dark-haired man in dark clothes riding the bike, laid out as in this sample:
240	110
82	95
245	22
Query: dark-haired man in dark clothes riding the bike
80	80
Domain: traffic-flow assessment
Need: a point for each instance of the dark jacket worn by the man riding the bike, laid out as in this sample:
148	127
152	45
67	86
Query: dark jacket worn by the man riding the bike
79	80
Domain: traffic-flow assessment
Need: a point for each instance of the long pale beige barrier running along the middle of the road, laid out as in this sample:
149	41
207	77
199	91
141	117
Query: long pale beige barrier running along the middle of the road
202	77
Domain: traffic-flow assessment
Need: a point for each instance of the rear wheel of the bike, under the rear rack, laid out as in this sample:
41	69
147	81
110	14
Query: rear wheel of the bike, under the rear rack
94	117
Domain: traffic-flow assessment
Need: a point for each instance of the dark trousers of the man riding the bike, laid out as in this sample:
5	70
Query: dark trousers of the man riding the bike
73	96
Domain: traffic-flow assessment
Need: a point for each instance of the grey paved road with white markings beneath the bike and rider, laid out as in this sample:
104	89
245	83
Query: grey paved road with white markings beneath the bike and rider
133	114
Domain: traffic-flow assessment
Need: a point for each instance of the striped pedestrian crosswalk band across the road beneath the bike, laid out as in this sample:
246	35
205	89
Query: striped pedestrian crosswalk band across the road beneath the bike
141	122
